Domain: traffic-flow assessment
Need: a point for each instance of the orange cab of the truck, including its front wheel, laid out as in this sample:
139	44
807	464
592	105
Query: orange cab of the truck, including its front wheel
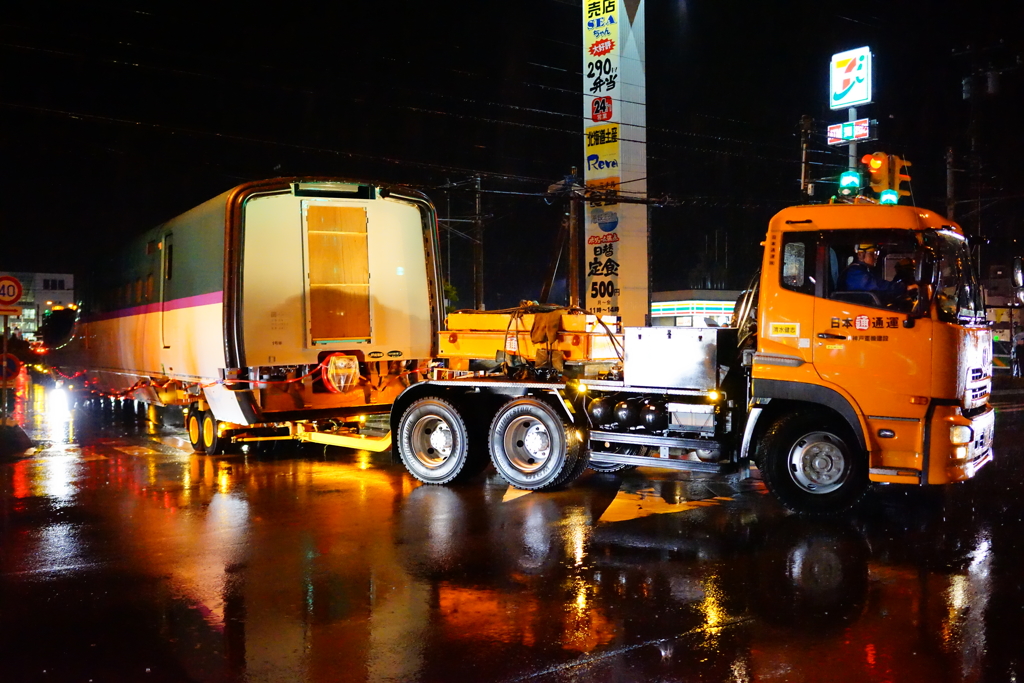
888	382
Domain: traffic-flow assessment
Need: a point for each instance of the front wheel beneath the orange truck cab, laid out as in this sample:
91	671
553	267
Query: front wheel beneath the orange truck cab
813	465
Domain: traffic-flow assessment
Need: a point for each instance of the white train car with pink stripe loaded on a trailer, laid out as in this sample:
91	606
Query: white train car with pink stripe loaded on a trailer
283	309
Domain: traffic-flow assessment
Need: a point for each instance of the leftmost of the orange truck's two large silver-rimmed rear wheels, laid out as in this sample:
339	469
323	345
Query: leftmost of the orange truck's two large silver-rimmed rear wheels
434	443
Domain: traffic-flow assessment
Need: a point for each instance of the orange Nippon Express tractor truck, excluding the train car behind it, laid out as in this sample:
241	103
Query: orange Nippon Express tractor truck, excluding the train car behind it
825	383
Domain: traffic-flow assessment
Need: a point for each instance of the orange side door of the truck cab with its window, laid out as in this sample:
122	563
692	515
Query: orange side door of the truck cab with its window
861	340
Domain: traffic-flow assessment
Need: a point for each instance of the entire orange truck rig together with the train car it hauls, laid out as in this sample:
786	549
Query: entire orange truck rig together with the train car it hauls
257	315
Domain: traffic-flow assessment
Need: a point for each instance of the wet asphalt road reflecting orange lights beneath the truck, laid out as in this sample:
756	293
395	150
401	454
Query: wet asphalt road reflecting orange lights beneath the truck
126	558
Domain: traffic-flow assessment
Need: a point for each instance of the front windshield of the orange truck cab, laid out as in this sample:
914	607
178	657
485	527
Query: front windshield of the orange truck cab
959	295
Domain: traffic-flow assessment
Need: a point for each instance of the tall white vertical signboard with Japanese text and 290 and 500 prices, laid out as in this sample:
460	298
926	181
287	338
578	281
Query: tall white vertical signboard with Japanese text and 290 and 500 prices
616	160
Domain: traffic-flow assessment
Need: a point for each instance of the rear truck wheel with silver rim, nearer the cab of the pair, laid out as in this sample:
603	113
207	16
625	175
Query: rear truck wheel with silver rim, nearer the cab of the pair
533	447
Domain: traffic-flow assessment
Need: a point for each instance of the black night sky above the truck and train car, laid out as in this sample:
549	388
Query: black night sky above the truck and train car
116	118
